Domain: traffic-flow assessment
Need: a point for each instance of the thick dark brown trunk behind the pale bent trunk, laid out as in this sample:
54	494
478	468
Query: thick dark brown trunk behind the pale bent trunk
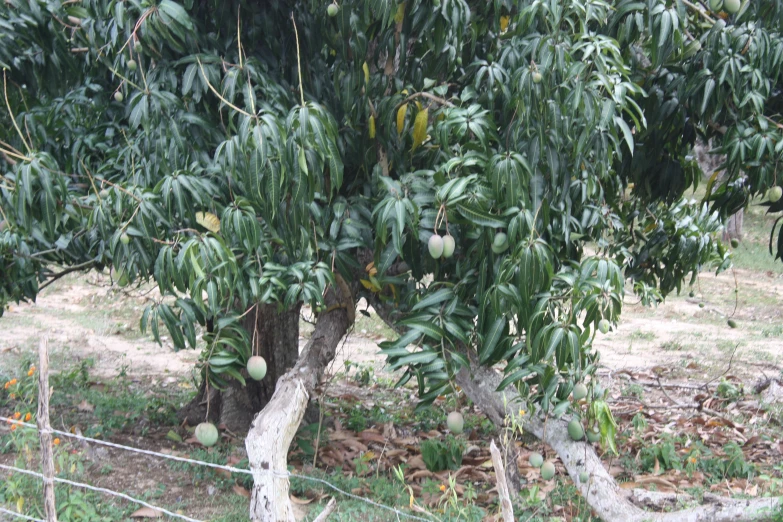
275	337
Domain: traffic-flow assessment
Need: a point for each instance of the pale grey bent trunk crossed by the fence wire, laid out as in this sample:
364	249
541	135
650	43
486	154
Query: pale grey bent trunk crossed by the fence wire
274	428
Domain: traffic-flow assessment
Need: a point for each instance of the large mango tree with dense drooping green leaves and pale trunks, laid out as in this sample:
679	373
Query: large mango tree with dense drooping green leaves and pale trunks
254	157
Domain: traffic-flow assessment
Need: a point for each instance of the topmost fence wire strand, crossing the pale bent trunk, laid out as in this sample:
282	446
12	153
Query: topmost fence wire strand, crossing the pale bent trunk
231	469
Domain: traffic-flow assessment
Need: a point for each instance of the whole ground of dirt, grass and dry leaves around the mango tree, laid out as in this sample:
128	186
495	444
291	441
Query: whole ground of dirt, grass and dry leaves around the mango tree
113	383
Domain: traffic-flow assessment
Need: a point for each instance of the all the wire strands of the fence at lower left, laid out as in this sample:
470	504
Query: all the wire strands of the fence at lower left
232	469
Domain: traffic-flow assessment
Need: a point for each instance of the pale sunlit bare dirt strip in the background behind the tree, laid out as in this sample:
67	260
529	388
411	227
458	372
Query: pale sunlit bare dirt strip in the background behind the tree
85	318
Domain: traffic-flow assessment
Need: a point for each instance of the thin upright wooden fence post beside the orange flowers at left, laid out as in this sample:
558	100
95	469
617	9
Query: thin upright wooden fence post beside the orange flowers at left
45	431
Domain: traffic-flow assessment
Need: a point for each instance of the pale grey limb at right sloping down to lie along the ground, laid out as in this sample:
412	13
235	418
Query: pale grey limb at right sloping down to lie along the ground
601	491
